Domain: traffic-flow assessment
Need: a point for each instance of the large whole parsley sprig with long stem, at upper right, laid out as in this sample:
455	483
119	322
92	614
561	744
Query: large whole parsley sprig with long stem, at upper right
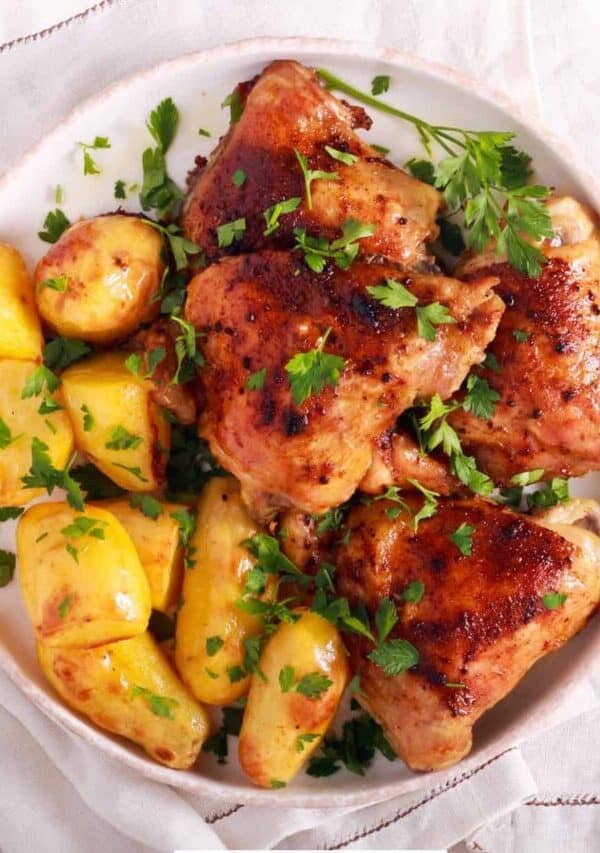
484	175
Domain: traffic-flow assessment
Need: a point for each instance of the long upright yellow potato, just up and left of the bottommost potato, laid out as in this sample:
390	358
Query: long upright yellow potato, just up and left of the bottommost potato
211	630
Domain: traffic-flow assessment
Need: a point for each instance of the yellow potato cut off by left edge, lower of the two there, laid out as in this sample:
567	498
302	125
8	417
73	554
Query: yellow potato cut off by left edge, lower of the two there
21	422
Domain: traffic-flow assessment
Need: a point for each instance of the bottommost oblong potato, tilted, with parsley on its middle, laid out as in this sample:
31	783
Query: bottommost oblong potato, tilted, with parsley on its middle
288	712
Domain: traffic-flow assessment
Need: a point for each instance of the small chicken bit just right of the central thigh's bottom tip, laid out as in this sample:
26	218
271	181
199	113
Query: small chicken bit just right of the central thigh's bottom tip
398	459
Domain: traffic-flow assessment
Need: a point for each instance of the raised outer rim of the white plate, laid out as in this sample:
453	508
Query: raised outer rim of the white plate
128	754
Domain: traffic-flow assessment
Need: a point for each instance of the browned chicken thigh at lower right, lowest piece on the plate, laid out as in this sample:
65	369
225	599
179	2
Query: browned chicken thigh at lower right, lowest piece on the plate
482	622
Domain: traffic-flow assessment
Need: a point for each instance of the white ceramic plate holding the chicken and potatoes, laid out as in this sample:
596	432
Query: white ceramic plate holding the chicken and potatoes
198	83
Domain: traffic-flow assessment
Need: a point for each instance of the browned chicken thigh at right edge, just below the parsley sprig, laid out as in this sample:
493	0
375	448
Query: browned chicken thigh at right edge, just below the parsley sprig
548	351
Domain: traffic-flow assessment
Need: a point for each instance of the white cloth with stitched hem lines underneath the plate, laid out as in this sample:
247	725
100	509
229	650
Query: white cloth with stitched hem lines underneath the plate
59	795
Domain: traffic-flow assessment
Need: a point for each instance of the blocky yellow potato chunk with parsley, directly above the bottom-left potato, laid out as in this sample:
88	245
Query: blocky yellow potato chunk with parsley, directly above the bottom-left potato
80	576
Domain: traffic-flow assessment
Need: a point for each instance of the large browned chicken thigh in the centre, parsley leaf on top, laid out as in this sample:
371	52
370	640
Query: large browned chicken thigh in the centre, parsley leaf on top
258	311
